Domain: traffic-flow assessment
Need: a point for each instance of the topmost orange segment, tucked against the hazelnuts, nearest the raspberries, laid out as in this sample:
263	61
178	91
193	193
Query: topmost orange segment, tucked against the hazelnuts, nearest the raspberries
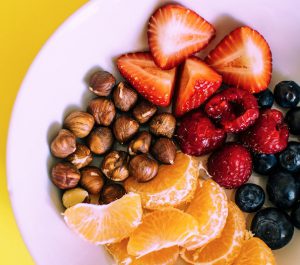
173	186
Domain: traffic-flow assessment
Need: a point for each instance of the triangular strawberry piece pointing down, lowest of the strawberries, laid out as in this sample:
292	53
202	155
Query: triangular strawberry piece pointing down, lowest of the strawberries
197	83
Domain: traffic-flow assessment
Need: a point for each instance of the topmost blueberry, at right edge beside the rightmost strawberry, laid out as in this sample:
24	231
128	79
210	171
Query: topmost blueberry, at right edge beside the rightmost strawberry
287	94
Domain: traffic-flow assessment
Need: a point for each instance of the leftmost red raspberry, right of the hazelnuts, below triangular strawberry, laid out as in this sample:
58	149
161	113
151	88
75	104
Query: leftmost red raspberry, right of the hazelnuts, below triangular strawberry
197	135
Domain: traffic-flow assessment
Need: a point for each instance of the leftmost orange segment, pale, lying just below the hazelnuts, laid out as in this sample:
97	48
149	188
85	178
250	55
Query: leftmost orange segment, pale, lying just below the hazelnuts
104	224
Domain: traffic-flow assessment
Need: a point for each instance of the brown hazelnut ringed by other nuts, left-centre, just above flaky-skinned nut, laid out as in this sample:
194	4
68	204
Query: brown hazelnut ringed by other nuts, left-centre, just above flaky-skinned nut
100	140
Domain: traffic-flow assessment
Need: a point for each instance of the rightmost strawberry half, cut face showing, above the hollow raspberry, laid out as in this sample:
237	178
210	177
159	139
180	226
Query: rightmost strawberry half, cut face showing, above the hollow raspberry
244	59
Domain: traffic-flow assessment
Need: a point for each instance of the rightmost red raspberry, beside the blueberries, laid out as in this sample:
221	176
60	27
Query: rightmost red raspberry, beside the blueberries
269	135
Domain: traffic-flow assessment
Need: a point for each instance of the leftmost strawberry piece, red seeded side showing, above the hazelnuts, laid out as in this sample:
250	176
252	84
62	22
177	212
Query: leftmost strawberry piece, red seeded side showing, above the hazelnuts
151	82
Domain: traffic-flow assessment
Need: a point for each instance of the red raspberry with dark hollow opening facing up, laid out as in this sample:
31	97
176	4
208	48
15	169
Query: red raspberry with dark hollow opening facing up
234	108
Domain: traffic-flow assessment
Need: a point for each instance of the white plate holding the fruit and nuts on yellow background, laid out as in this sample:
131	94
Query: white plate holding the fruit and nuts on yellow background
56	84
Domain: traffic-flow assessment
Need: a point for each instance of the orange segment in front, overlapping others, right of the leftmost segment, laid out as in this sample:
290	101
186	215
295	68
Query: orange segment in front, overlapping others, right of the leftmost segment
162	229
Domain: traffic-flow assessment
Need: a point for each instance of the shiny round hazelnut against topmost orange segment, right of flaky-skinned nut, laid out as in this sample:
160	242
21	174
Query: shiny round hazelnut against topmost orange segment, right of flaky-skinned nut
143	168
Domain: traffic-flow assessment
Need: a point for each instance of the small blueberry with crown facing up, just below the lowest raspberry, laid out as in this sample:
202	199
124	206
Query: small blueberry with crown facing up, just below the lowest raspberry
250	197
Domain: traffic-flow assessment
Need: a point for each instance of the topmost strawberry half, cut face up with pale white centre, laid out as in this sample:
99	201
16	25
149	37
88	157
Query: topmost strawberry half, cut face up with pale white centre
175	33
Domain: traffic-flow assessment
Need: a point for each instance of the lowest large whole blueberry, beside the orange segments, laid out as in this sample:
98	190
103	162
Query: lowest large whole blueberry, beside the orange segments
273	227
